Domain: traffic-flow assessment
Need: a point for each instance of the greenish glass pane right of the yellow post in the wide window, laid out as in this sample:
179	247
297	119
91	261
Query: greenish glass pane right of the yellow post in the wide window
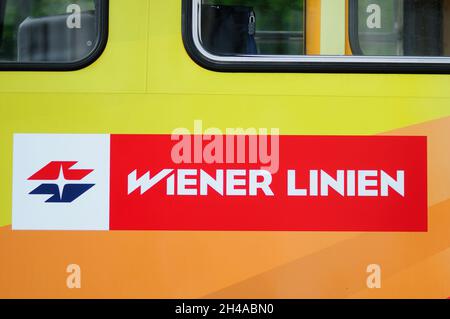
403	28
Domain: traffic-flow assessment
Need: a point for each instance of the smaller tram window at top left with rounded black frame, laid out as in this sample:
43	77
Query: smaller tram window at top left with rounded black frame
50	32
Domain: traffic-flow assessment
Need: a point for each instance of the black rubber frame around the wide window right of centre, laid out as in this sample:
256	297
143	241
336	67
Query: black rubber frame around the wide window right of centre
352	64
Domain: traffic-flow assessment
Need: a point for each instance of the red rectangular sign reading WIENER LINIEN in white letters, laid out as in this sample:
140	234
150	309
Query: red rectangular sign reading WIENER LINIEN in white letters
320	183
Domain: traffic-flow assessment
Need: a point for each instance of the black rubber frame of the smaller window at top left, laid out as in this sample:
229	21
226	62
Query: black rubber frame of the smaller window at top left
103	14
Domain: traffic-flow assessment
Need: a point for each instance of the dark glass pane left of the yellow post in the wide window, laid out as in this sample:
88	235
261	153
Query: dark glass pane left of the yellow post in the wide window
264	27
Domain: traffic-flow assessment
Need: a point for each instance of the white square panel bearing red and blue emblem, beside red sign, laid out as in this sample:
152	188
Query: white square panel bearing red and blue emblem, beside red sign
61	182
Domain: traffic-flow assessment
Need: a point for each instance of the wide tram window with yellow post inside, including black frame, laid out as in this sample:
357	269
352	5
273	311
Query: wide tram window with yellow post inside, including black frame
314	35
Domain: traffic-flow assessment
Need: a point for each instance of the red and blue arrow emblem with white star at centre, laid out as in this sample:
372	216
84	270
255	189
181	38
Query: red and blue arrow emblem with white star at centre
63	188
